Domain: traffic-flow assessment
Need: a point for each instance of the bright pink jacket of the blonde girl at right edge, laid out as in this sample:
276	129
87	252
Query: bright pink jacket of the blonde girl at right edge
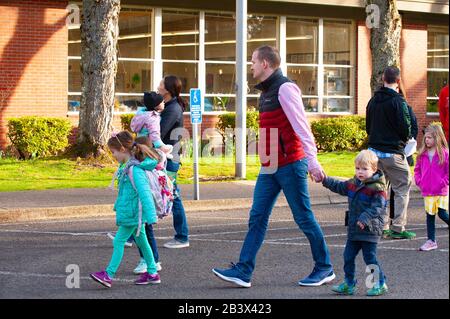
432	178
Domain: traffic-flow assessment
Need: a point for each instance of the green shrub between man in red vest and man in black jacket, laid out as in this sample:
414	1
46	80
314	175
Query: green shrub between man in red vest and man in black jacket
346	133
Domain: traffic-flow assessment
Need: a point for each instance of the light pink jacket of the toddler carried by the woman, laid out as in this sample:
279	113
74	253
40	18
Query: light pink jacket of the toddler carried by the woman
147	124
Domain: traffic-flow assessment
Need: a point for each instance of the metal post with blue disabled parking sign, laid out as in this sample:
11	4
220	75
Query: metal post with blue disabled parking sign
196	118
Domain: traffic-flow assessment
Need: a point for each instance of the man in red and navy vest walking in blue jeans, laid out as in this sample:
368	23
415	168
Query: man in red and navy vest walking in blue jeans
285	130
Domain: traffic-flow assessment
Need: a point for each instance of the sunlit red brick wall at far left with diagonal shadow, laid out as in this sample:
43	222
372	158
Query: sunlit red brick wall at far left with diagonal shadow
33	60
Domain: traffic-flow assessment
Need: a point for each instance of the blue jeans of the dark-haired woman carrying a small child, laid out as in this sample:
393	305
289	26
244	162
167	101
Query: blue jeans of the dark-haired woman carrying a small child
179	215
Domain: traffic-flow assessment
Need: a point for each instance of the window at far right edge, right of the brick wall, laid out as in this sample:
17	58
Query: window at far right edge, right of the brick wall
437	57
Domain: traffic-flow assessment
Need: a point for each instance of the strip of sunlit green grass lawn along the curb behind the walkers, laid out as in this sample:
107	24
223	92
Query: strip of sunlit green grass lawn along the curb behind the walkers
58	173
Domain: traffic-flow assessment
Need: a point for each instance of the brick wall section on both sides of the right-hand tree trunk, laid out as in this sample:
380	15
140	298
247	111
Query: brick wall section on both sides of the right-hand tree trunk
413	58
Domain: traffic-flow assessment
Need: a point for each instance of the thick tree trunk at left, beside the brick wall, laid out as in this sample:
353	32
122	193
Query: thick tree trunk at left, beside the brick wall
99	32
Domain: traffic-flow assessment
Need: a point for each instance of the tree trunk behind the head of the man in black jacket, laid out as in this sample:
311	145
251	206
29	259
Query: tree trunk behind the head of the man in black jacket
384	40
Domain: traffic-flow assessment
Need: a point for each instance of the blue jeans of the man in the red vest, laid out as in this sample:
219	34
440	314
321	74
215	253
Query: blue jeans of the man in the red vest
292	179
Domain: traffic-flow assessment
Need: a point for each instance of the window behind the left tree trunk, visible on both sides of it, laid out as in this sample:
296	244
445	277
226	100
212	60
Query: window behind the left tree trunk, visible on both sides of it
134	65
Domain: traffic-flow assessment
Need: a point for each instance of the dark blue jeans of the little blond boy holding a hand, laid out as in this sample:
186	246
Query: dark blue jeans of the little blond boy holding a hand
352	249
